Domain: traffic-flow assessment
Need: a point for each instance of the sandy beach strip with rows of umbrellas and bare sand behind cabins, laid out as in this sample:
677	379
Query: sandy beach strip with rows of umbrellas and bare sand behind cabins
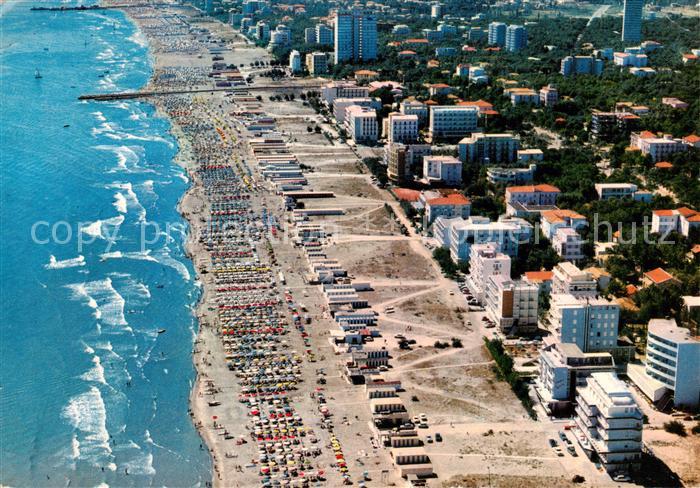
294	367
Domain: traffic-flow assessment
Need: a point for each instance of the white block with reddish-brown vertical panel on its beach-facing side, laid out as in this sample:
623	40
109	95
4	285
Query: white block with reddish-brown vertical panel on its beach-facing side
512	304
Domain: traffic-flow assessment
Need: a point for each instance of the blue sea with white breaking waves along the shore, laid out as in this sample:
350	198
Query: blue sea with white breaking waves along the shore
93	391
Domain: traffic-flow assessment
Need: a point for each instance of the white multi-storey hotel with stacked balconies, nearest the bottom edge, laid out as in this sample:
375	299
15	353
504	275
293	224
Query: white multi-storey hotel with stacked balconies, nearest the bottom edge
610	423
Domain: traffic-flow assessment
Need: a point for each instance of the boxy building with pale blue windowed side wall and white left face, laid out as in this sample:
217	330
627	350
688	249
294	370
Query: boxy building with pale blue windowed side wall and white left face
590	323
